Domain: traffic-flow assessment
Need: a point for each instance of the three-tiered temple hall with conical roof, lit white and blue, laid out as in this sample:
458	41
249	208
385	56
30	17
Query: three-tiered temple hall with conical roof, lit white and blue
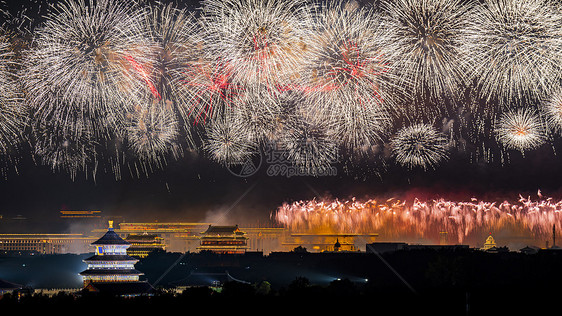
110	269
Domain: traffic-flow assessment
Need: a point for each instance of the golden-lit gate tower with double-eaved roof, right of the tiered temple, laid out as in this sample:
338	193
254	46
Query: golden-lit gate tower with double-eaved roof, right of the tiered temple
223	240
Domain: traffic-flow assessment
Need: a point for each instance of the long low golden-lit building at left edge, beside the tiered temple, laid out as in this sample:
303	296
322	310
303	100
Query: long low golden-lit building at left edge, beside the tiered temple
44	243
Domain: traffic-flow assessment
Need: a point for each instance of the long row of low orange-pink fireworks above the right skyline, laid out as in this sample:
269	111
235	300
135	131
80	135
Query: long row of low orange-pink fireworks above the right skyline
421	219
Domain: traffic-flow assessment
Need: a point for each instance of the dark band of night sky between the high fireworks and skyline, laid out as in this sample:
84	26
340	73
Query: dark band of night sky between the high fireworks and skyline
196	189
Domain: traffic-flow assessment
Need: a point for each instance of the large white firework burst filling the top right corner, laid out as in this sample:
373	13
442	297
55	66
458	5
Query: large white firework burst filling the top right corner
514	49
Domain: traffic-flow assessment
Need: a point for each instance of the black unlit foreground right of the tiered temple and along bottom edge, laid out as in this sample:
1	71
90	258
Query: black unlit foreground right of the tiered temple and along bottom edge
459	282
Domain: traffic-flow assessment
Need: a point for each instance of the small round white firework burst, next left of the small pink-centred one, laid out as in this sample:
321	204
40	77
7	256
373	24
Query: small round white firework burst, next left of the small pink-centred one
419	145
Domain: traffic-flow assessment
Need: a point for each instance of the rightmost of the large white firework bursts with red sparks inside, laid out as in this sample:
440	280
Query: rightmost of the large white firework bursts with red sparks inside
348	83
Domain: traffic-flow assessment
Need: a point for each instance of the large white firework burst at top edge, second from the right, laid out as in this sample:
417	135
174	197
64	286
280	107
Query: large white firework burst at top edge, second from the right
426	37
